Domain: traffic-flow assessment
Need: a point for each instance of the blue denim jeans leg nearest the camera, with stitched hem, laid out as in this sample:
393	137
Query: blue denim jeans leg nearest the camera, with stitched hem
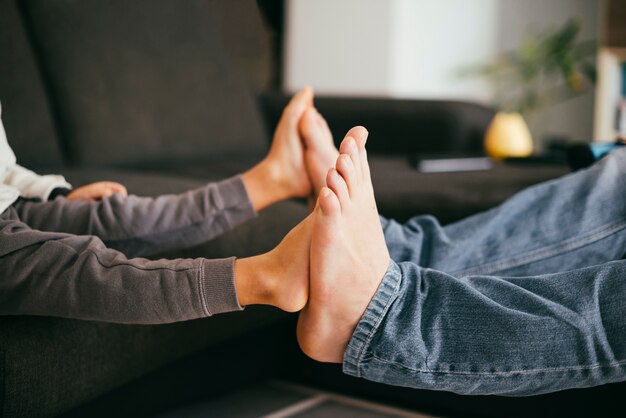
493	335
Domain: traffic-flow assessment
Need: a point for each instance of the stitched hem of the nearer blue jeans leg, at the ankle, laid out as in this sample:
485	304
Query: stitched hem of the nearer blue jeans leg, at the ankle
371	319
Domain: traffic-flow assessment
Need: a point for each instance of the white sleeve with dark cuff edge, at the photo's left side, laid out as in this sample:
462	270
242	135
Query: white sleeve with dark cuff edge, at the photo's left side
32	185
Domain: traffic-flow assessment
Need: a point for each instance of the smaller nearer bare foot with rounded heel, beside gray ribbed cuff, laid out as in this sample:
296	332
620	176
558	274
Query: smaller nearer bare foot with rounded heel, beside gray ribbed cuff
280	277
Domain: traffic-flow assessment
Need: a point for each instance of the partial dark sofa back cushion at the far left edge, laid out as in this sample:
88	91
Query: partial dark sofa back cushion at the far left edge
25	109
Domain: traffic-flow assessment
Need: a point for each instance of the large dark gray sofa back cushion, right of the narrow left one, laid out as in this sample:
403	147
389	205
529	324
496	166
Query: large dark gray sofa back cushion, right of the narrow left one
142	82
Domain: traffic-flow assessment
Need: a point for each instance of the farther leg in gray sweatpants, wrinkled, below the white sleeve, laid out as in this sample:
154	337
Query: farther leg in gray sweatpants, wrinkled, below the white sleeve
140	226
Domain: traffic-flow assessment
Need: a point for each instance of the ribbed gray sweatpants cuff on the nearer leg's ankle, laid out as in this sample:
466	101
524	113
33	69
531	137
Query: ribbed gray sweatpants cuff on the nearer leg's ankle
217	286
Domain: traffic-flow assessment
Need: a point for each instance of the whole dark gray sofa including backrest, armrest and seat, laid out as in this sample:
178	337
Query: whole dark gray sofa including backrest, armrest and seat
145	93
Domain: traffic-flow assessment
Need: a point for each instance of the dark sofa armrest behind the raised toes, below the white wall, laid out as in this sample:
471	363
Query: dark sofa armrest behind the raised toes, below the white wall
397	126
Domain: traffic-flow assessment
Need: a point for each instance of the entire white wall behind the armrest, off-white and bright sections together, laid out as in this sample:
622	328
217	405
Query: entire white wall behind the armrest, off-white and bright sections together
403	48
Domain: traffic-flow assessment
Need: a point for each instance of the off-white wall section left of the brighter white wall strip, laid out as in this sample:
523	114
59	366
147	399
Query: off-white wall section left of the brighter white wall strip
338	46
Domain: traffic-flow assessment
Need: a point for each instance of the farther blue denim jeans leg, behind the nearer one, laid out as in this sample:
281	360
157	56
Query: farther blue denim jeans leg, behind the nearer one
572	222
